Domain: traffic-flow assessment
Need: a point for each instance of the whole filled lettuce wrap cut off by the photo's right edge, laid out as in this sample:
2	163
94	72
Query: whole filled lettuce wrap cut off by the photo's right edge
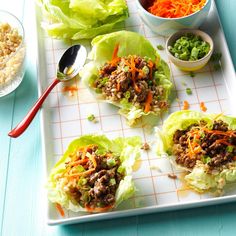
204	145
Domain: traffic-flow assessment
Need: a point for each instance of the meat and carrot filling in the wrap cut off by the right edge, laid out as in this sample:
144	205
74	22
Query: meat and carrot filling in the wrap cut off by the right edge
214	147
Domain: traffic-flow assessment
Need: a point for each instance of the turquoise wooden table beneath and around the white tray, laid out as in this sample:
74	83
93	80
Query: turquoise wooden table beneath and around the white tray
22	209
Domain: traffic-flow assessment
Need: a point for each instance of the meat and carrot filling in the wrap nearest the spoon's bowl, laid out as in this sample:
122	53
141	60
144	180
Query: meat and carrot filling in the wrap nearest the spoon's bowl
132	78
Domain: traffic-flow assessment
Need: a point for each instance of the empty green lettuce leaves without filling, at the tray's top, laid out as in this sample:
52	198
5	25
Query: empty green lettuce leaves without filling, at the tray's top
81	19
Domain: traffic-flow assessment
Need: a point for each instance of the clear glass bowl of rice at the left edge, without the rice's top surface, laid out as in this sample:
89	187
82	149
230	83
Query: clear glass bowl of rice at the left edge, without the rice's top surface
12	67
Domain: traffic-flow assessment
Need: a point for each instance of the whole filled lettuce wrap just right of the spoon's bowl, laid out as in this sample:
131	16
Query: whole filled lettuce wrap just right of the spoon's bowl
134	87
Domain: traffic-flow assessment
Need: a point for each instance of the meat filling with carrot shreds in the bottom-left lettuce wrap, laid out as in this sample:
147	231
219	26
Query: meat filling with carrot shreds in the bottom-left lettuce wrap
92	179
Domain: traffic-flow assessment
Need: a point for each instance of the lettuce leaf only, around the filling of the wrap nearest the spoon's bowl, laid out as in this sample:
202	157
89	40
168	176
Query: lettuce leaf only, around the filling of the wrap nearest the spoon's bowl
130	43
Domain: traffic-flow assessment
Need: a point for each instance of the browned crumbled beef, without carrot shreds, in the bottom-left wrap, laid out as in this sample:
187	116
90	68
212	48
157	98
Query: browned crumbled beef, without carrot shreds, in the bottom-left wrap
97	189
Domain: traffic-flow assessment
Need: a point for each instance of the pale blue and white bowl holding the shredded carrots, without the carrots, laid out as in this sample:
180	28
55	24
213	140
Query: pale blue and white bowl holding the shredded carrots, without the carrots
167	26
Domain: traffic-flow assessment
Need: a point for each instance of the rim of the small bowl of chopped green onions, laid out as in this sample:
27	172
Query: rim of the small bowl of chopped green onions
190	31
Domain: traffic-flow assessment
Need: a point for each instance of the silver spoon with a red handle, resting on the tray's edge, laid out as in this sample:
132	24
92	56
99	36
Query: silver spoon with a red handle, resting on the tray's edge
68	67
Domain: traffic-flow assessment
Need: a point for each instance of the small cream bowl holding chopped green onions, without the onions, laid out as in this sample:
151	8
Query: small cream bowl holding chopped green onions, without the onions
189	65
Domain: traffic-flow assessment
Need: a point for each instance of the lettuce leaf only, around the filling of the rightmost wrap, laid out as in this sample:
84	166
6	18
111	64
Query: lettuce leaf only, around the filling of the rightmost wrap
199	178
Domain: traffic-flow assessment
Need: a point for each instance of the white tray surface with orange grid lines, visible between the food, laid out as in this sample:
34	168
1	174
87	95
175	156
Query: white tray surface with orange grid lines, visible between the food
68	119
